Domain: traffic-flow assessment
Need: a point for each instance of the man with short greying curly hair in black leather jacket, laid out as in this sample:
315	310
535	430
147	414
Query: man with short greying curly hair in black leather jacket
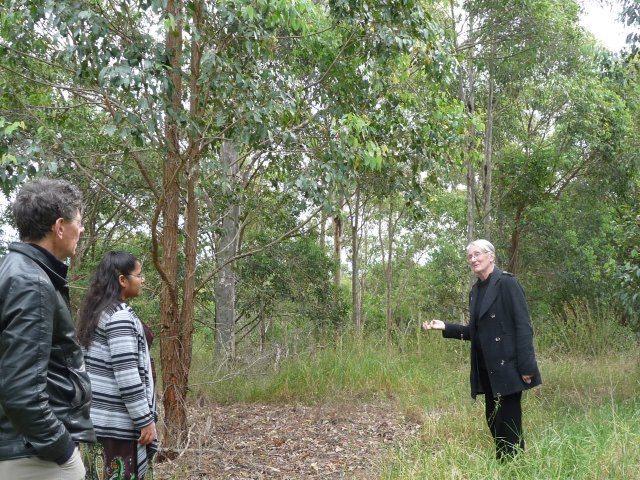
45	392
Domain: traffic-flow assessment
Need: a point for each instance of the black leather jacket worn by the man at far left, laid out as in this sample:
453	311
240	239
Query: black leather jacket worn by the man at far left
45	393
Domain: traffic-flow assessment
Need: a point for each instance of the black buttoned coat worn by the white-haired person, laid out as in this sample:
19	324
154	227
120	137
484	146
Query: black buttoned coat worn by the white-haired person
505	335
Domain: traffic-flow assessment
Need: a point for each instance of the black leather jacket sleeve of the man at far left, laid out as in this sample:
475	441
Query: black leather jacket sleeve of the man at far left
25	346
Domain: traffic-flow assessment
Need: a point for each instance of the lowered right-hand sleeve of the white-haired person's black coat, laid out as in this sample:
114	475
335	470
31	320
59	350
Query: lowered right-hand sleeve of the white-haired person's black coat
519	312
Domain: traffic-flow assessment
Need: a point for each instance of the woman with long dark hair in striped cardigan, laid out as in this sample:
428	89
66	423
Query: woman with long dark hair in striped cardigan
116	345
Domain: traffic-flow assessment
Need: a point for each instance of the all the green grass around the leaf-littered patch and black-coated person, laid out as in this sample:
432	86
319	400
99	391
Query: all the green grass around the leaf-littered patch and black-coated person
582	423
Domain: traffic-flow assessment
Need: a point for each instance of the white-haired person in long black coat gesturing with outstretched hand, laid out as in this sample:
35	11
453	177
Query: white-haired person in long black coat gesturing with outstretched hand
503	361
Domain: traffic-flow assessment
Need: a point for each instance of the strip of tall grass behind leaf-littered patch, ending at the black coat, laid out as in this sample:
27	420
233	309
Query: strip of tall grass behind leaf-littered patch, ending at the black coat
348	367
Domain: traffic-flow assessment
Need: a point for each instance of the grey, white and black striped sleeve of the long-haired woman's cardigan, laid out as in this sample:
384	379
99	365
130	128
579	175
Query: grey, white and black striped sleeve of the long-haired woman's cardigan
122	338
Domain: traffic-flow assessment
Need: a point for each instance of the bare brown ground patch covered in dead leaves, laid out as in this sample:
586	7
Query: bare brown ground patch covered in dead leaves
258	441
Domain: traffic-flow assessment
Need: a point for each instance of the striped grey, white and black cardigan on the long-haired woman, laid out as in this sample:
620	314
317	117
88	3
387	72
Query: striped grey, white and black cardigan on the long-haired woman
119	366
